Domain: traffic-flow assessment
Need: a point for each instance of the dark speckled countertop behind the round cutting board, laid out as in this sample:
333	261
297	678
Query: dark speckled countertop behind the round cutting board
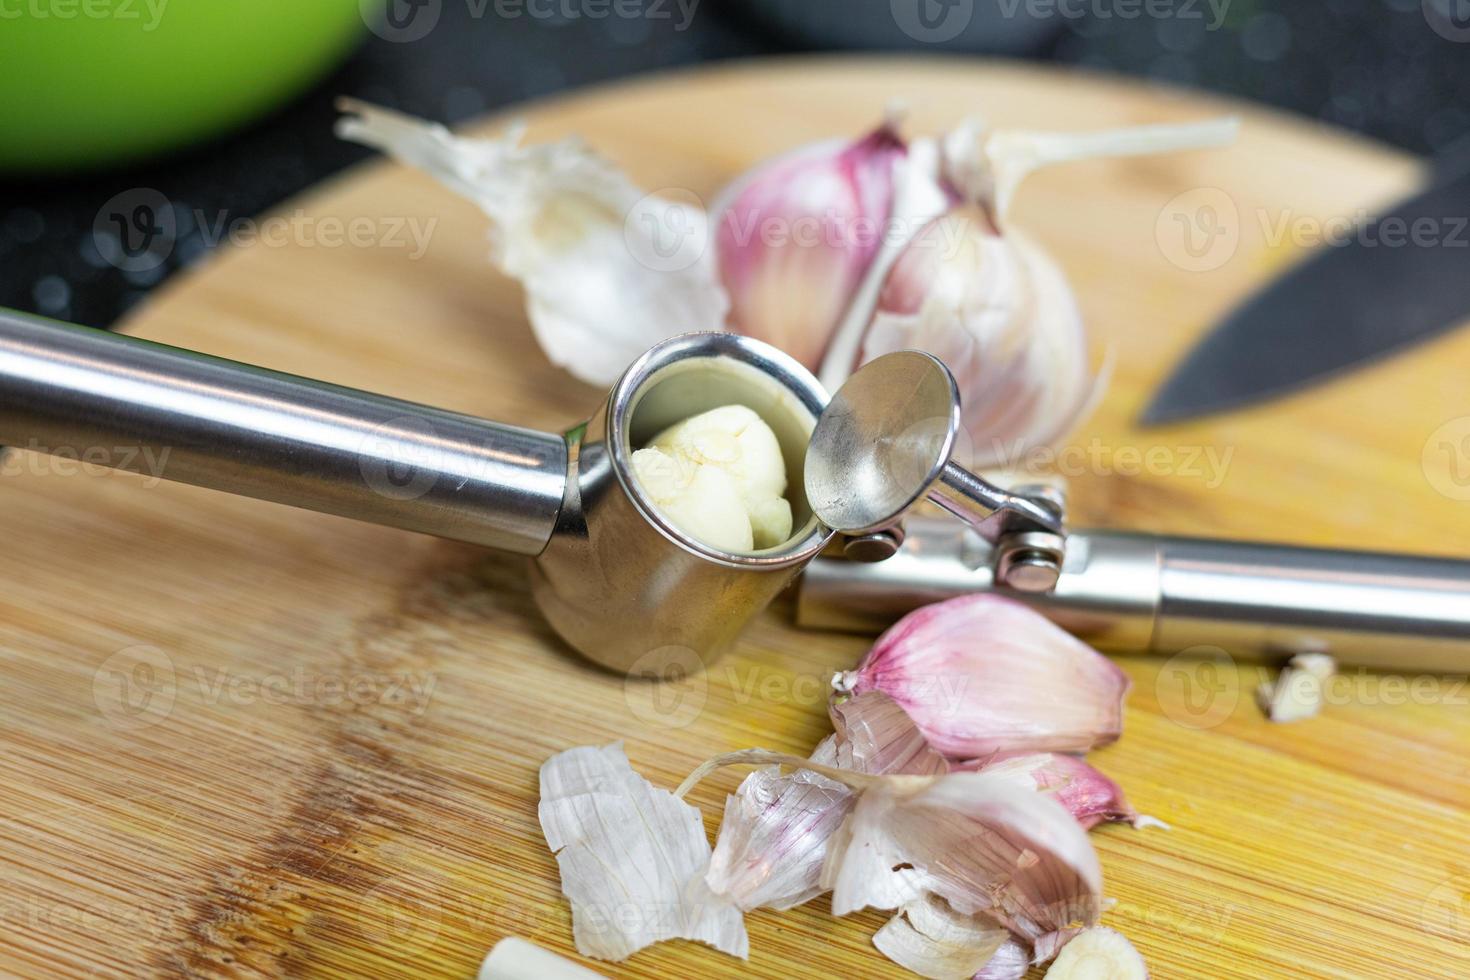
1375	67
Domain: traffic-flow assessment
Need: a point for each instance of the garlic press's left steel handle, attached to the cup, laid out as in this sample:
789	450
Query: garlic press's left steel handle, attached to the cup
177	415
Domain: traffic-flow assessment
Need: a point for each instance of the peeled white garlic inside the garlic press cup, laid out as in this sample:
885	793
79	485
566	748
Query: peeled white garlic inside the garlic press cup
720	477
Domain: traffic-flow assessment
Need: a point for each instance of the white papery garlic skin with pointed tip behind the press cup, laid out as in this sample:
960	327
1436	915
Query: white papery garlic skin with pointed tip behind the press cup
608	270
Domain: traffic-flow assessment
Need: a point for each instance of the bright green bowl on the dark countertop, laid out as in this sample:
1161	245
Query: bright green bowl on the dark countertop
90	83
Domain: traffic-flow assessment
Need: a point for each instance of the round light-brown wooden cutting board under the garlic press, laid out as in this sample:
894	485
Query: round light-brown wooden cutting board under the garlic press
245	740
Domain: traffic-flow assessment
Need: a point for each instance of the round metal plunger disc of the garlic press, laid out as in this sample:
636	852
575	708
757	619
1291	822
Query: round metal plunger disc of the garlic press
883	442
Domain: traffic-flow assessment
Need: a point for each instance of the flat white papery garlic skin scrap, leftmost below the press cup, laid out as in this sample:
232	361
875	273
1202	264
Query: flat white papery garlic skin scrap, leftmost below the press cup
633	859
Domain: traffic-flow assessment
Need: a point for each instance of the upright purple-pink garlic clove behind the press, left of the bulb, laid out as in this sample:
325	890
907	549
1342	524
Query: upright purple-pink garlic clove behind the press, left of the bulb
797	236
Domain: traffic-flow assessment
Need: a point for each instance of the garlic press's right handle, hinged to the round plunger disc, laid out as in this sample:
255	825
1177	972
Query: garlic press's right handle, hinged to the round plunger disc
1166	596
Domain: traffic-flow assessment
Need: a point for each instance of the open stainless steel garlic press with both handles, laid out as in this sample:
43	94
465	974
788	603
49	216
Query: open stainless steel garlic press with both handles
630	590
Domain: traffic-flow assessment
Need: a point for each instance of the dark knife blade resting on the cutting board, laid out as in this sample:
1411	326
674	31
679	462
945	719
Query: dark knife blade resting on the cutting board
1381	290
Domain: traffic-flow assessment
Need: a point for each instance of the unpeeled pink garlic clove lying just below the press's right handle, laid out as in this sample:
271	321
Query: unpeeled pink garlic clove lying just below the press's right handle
983	675
